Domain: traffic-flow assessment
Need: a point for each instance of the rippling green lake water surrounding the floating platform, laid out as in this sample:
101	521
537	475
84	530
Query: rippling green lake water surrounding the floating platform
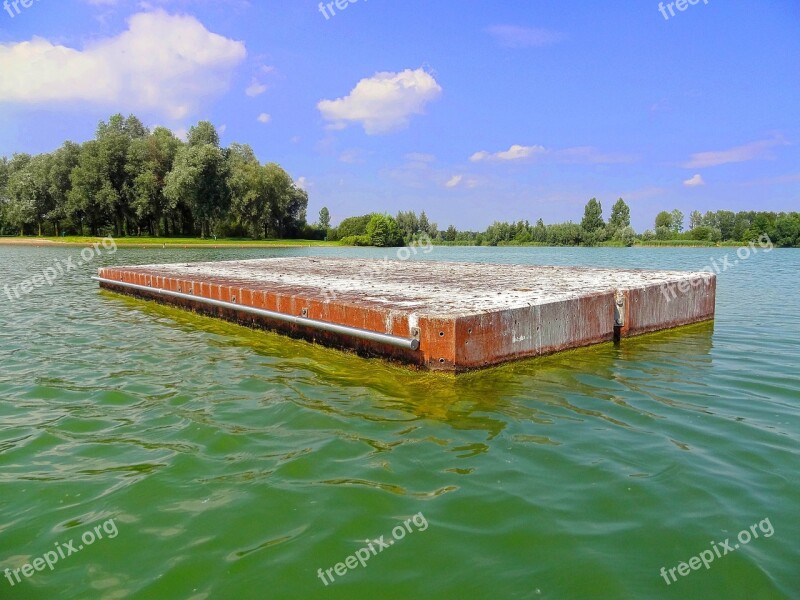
231	463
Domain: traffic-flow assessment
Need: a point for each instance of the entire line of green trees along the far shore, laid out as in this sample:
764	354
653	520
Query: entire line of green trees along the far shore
131	181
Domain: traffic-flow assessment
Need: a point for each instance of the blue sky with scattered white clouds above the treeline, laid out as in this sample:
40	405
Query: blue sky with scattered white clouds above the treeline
472	111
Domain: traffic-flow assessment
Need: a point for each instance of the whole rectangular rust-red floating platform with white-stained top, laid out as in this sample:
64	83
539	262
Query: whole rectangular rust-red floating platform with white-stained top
445	316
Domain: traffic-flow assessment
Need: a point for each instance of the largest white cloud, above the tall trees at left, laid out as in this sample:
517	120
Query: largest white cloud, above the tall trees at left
165	63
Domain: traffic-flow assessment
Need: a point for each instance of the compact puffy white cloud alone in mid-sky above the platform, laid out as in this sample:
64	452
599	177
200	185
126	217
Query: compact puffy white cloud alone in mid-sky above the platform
383	103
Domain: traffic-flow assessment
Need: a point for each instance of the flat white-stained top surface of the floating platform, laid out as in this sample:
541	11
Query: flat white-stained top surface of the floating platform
421	286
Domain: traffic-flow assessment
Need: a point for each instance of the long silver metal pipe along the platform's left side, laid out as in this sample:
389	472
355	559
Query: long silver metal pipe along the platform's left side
363	334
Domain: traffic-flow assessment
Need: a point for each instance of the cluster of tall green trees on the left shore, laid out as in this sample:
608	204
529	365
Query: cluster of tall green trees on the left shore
131	181
